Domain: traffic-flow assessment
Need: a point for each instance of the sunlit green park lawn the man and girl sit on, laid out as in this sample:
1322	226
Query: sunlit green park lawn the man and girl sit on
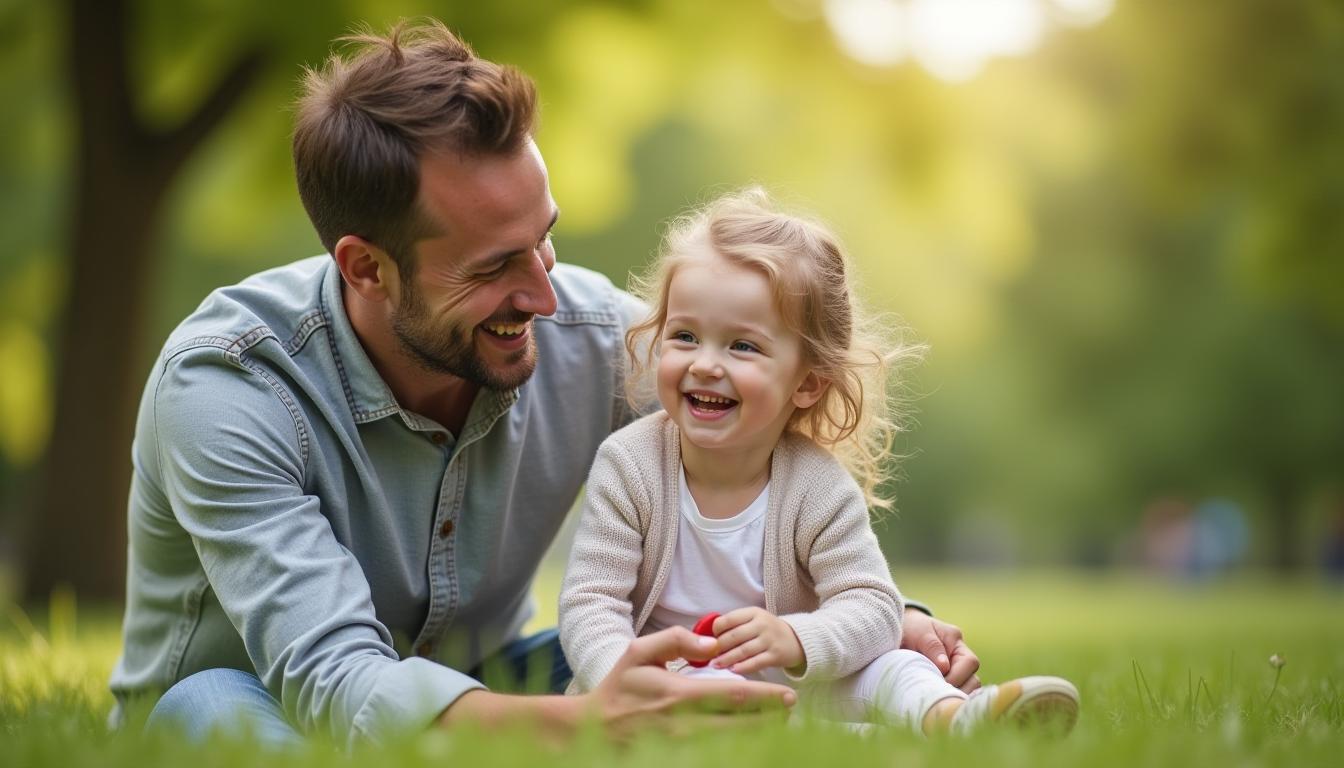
1173	675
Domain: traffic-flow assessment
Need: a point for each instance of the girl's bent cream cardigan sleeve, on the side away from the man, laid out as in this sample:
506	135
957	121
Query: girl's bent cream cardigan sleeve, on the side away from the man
859	614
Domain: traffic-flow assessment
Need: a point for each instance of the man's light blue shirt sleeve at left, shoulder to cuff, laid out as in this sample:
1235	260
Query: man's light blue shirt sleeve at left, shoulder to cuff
233	451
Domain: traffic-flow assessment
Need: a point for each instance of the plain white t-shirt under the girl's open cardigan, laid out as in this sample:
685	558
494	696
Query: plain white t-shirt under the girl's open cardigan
717	566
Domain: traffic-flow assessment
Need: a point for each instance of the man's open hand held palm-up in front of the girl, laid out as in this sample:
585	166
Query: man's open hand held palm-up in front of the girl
642	692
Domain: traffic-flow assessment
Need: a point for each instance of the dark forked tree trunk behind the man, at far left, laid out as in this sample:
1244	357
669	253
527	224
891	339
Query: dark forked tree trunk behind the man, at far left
124	171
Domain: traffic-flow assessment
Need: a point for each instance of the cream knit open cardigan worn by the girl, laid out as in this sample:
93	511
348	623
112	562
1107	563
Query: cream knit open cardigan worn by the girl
825	574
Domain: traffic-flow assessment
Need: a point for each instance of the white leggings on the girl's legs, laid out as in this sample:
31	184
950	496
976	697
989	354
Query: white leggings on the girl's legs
898	688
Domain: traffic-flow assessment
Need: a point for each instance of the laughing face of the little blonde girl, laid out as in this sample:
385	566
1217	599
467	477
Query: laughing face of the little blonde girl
730	372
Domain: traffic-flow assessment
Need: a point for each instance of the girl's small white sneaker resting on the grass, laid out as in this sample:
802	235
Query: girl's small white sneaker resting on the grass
1037	701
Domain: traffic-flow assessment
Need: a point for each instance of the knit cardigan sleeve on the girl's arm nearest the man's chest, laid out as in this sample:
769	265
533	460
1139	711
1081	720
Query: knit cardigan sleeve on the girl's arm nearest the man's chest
596	614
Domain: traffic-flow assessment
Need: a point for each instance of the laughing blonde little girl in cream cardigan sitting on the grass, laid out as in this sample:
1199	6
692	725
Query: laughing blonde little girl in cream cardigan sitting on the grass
741	497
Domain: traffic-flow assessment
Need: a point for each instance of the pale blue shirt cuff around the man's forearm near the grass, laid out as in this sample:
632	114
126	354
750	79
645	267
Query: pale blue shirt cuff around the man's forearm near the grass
409	696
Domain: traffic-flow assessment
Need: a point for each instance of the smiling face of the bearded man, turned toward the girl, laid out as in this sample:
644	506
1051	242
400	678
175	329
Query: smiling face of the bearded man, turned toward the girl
468	307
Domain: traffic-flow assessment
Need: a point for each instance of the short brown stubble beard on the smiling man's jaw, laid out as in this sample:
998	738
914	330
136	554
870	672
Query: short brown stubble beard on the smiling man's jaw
454	350
